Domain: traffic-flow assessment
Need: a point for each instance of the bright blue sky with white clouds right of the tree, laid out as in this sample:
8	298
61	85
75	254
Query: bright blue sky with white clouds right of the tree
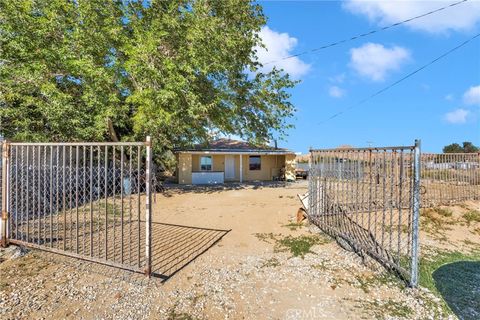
439	105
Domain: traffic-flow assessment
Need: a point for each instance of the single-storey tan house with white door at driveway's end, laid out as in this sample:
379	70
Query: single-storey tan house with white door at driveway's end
226	160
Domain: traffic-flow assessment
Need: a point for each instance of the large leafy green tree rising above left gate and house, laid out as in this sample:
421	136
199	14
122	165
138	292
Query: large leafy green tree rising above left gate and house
180	71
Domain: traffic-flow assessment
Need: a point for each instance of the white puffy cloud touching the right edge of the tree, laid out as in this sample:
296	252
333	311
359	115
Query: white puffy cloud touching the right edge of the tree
280	45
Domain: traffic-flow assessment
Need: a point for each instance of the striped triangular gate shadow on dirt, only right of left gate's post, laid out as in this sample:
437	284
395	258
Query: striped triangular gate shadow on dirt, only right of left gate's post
176	246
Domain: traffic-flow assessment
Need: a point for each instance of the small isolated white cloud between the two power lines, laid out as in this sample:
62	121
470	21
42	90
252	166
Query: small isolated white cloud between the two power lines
374	61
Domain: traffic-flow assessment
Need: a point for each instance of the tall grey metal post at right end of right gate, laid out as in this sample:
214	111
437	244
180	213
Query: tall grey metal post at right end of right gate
416	213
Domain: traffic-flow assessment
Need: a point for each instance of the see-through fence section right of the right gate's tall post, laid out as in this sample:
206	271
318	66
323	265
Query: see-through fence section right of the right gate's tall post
449	177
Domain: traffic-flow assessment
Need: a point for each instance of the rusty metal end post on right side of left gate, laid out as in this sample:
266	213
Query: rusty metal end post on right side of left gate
148	207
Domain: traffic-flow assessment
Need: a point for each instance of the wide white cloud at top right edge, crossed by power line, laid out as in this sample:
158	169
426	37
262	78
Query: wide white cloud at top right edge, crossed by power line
458	18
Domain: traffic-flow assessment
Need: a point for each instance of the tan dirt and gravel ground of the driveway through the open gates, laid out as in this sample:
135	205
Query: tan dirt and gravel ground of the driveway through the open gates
250	271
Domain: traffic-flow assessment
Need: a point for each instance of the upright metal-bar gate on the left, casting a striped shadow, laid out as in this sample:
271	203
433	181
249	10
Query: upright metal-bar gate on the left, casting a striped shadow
87	200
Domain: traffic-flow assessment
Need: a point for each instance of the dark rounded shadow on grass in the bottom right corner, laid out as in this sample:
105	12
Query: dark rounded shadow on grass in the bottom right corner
459	285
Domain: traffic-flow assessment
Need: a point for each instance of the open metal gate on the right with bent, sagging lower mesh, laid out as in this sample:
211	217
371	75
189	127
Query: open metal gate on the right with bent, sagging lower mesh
369	199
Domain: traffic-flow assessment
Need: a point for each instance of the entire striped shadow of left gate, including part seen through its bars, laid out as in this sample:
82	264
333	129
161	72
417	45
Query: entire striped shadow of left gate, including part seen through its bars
173	246
